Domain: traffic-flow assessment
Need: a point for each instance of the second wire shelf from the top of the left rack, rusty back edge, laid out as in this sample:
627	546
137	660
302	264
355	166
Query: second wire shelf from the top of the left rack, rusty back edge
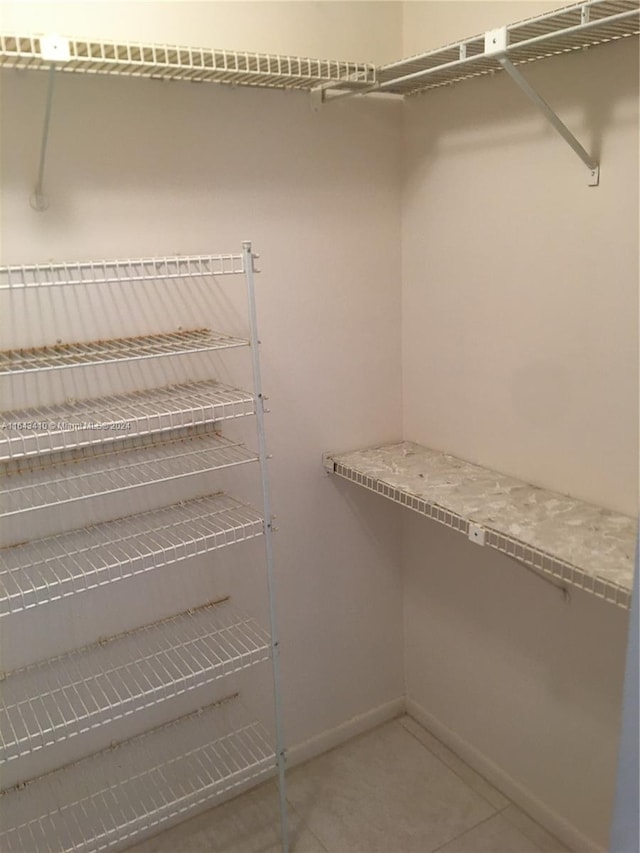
117	350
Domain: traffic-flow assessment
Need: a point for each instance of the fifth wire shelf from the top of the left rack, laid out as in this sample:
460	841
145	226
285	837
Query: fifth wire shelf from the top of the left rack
46	570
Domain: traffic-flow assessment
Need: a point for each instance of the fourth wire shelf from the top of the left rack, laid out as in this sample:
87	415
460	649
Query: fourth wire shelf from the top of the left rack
121	470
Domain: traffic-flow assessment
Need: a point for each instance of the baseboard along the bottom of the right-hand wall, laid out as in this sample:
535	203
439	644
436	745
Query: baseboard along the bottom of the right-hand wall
521	796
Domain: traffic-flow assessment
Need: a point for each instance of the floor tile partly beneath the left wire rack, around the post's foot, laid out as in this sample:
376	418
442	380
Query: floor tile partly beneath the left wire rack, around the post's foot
247	824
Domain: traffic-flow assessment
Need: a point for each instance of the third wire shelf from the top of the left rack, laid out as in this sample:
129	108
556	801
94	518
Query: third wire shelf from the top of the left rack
82	423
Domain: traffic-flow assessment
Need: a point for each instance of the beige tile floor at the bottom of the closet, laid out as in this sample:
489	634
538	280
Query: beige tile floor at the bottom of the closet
396	789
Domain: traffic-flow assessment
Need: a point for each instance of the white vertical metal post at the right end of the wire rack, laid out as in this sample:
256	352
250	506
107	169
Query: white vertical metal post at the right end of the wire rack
248	265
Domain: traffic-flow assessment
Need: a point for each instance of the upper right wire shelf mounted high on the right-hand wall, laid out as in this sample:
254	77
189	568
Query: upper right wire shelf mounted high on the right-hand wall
562	31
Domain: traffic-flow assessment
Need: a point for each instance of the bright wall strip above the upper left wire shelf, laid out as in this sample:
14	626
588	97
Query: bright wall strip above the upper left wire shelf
359	31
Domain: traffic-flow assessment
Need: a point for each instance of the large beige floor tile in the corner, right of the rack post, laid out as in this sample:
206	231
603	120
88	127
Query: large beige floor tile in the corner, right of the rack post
384	792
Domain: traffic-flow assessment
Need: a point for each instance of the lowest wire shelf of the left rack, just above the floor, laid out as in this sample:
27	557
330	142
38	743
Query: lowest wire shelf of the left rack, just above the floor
160	775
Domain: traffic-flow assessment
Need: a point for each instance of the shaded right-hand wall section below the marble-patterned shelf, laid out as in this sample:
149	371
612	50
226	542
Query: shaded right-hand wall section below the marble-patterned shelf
520	684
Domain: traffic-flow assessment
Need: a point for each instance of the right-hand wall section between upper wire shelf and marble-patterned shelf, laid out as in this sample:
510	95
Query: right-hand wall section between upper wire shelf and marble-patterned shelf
520	290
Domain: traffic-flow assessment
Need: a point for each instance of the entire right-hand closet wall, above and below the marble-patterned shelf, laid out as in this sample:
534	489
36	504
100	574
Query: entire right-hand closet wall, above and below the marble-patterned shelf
520	353
